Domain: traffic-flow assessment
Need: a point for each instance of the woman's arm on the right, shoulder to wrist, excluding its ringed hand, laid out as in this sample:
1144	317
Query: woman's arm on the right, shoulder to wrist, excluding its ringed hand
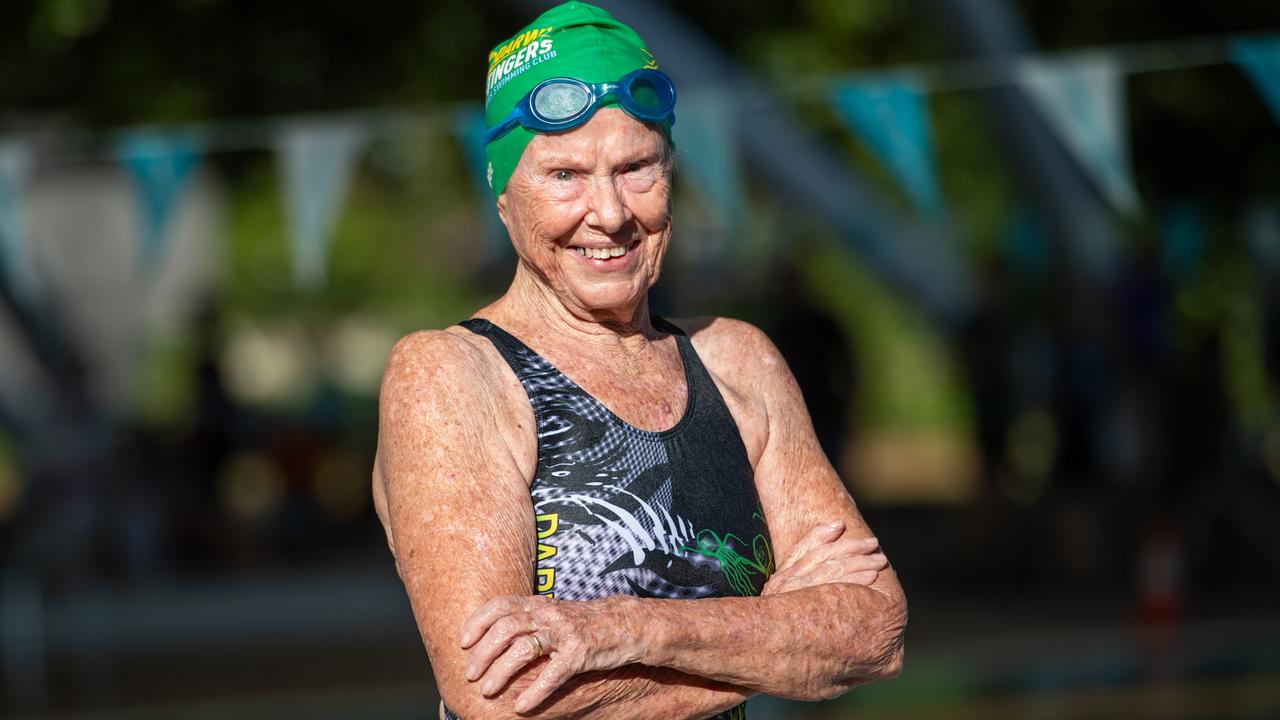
824	639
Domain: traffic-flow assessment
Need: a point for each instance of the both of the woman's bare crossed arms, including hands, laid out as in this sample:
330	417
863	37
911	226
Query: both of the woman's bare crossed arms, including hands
460	523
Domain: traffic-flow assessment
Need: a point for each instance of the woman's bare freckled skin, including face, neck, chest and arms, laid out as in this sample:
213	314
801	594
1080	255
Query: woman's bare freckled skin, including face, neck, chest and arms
458	454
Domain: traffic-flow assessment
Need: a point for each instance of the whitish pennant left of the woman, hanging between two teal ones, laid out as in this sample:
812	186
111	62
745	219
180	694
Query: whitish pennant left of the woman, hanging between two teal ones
317	163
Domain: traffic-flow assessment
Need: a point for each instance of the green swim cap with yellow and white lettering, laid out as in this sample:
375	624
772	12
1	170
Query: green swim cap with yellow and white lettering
572	40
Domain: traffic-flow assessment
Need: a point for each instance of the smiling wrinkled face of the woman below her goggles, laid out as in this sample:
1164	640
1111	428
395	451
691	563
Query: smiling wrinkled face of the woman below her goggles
589	213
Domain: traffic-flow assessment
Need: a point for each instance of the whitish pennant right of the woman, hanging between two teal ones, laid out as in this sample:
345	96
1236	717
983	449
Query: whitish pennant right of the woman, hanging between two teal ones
1082	98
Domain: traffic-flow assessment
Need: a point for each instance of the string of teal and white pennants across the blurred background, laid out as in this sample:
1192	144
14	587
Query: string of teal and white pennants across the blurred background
1080	94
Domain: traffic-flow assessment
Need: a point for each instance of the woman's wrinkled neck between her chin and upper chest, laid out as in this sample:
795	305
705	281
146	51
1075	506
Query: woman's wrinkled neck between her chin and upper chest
532	306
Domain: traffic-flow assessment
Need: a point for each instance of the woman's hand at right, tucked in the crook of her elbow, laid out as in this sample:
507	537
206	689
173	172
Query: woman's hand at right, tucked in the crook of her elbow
826	555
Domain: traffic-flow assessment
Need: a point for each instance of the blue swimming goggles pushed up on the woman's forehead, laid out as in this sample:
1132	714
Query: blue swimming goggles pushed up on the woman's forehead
560	103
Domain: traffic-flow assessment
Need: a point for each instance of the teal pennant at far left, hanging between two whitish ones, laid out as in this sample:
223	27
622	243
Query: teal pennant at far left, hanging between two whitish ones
161	166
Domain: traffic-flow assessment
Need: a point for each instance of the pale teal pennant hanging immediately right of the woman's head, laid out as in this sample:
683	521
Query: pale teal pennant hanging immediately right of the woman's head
707	144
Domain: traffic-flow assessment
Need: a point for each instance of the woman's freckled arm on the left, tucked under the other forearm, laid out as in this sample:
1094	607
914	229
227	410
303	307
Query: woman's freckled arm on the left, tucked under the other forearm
459	518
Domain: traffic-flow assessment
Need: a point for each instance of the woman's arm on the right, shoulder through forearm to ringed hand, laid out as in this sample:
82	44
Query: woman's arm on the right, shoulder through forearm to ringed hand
810	641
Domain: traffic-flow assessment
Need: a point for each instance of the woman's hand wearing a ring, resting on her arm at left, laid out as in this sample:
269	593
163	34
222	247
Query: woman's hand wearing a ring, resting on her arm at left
510	634
